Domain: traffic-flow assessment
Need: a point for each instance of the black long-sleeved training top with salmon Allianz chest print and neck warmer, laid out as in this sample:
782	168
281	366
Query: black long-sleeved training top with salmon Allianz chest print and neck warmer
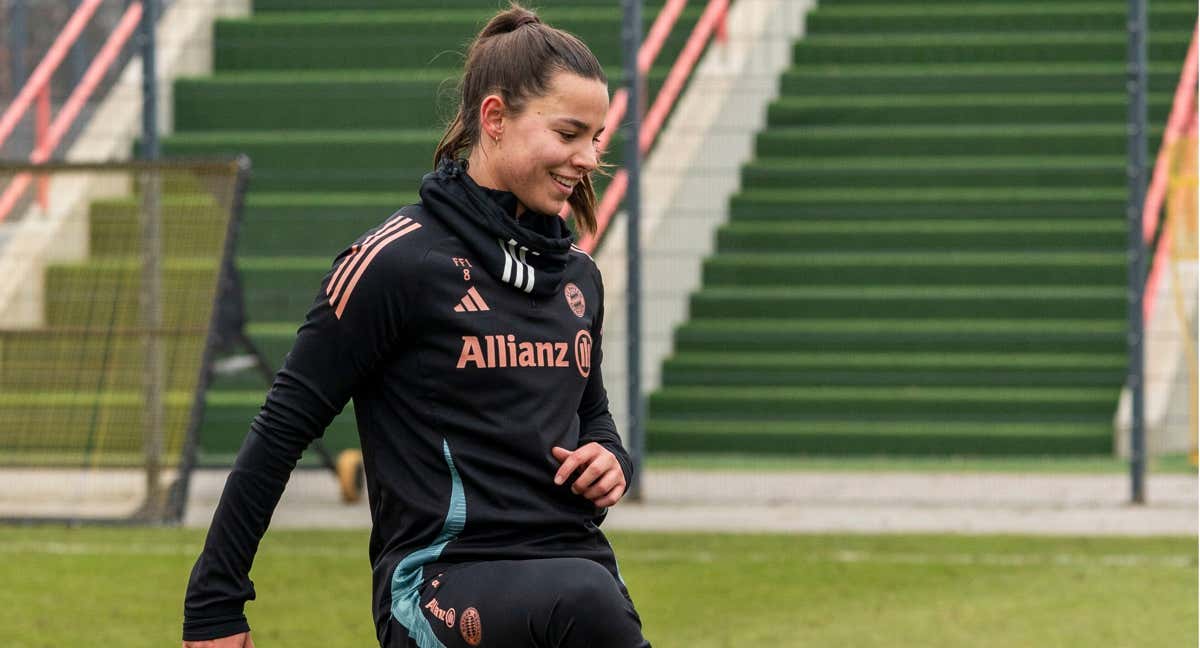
470	341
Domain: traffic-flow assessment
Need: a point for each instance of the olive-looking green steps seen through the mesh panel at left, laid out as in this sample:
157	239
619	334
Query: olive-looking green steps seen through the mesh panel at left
95	412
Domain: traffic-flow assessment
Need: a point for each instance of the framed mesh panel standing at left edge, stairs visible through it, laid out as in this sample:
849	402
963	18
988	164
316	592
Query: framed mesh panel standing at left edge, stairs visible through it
107	335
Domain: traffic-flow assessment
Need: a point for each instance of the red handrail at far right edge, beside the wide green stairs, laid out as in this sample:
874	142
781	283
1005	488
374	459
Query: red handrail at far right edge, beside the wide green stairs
1181	121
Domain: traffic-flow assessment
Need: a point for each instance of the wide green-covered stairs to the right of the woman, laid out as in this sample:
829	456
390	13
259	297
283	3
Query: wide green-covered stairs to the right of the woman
927	256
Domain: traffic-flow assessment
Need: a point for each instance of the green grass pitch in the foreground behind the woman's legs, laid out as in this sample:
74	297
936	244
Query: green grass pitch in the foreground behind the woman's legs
124	587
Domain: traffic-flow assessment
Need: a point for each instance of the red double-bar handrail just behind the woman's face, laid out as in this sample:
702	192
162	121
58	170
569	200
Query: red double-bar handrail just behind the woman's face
712	21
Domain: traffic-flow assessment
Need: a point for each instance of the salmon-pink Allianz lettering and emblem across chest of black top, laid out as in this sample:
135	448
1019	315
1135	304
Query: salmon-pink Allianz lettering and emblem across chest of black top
505	351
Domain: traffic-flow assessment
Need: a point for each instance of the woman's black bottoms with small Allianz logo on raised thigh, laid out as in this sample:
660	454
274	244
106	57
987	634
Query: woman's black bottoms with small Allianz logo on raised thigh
550	603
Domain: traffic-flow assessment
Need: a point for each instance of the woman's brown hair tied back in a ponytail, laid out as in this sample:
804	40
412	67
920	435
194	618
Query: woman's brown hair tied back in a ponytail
514	57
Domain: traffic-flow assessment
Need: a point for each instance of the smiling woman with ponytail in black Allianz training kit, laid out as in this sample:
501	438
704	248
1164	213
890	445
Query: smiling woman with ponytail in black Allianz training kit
467	331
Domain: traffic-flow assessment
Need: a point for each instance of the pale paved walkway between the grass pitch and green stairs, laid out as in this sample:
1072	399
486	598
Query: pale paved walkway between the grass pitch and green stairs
837	502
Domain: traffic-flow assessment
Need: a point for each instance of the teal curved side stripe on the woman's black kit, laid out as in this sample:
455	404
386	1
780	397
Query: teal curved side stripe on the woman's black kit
406	580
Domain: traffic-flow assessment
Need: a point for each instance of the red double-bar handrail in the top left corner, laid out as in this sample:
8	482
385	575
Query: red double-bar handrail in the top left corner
50	134
